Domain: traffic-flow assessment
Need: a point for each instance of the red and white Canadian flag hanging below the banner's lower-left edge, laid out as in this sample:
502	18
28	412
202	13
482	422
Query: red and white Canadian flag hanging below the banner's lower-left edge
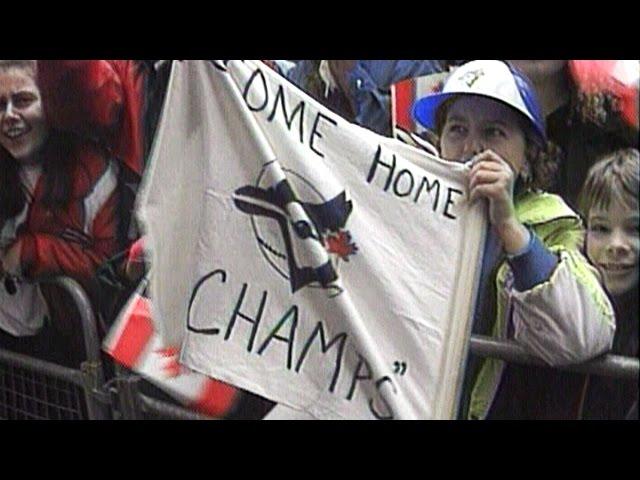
135	343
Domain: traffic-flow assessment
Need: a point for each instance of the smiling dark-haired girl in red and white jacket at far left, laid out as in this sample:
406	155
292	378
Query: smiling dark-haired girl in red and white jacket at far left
58	198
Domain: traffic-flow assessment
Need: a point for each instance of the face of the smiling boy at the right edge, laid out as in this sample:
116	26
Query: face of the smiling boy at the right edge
613	245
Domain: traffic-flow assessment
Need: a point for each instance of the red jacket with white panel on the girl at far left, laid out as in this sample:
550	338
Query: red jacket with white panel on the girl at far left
75	240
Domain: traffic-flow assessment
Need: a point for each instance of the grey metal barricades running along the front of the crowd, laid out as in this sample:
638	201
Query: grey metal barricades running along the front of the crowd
33	388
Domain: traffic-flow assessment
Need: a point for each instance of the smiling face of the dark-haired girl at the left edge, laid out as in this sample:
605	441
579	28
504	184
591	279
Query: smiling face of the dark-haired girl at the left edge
23	129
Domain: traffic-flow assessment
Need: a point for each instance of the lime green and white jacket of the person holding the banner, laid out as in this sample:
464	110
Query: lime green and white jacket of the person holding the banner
566	319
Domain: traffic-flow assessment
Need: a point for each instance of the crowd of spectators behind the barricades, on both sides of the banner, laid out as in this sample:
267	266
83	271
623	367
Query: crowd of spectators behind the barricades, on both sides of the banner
551	145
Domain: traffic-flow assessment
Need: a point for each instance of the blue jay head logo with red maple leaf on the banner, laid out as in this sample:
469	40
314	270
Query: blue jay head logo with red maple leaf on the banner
301	234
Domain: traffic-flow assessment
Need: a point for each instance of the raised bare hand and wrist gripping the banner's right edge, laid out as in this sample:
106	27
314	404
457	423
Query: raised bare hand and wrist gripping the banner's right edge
492	178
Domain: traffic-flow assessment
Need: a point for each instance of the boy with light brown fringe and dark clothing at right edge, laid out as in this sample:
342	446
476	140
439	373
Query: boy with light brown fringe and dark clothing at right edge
609	203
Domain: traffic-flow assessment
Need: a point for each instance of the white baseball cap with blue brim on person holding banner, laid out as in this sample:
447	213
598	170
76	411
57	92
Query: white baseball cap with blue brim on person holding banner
488	78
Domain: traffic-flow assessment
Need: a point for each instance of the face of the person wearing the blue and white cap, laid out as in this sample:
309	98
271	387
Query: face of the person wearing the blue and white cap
474	124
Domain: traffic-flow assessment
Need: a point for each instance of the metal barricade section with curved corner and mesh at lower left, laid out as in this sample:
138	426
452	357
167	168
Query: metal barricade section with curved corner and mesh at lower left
35	389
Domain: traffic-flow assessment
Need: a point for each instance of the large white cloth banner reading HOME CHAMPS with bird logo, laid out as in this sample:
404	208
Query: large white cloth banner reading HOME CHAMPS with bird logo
304	258
